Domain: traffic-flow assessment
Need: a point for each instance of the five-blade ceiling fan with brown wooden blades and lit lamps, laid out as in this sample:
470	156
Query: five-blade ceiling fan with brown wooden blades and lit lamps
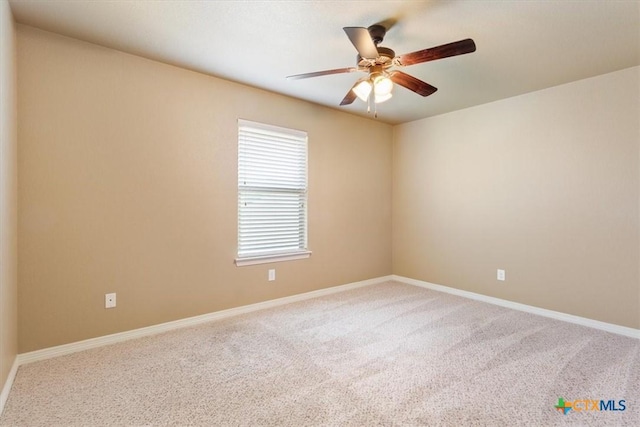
379	63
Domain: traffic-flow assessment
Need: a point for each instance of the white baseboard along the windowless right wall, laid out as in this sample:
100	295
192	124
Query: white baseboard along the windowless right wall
609	327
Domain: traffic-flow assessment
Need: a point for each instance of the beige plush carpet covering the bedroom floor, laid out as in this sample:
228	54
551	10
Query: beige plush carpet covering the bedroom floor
389	354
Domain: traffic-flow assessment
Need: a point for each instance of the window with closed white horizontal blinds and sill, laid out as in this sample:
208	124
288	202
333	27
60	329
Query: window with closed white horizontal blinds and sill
272	194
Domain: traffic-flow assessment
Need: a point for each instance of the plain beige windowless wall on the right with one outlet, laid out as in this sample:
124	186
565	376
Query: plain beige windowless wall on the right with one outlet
544	185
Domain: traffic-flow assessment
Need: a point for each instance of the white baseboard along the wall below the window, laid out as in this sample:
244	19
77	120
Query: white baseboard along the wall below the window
64	349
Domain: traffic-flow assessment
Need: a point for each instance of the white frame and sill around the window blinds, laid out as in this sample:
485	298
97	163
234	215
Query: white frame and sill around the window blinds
270	256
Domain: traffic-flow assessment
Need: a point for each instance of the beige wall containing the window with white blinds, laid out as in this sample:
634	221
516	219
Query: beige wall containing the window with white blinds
127	184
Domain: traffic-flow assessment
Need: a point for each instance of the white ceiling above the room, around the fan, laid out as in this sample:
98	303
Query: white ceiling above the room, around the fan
522	46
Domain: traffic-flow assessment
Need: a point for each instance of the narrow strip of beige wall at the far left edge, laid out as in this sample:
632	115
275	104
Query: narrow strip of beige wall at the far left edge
8	197
